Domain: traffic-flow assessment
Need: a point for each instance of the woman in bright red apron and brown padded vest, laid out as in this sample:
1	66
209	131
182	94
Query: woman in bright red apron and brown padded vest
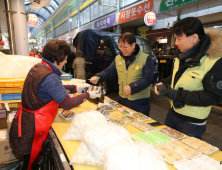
42	94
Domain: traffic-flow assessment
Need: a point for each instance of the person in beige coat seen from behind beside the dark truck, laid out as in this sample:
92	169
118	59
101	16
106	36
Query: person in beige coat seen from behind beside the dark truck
79	65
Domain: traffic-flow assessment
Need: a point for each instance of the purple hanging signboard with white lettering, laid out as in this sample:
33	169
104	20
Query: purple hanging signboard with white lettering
105	22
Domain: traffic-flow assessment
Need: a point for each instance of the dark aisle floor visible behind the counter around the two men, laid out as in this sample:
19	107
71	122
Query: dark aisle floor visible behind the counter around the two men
160	107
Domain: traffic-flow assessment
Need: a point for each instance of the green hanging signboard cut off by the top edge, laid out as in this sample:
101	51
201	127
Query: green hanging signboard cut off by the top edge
171	4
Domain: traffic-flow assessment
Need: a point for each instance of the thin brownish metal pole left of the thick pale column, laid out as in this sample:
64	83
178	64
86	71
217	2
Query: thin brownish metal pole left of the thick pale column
10	27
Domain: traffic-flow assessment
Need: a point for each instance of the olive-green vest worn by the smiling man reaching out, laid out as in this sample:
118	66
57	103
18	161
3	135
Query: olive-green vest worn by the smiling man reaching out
133	74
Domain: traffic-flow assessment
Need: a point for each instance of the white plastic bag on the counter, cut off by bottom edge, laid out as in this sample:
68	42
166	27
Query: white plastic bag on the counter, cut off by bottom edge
139	156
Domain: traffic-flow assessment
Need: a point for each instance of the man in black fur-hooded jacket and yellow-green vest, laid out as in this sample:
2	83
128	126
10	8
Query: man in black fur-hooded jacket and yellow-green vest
196	82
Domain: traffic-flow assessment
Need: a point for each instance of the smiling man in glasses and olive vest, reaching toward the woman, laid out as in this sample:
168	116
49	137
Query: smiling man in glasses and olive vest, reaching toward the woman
135	70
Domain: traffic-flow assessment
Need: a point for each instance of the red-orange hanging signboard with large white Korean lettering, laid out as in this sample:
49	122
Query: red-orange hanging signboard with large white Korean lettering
135	12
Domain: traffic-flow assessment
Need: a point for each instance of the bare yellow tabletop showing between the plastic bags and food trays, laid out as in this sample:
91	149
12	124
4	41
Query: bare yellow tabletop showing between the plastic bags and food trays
61	125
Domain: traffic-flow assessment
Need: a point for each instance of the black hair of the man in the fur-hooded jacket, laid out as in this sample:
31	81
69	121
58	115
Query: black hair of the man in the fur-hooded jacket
189	26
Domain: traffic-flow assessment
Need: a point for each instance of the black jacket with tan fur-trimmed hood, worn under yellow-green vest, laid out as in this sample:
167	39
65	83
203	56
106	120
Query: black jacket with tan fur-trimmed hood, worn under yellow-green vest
212	81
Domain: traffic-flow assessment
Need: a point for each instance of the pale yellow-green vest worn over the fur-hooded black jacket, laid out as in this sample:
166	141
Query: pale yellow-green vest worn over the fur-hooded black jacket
191	80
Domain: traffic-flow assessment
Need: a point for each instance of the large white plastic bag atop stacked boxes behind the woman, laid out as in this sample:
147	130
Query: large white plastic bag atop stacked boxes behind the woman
14	66
